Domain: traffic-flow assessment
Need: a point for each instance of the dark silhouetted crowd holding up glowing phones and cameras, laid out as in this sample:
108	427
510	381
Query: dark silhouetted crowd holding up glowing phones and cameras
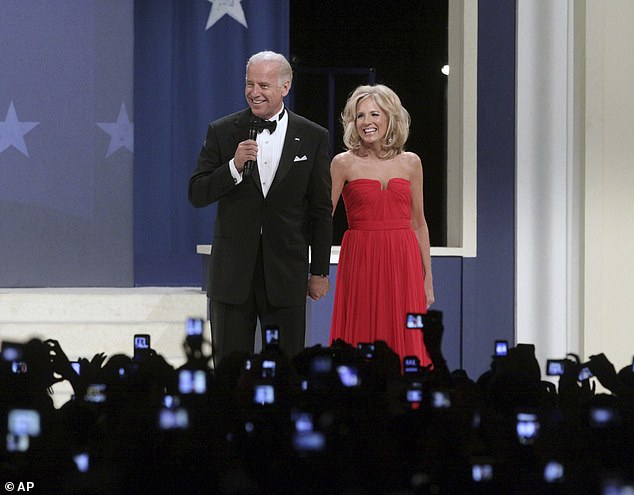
330	420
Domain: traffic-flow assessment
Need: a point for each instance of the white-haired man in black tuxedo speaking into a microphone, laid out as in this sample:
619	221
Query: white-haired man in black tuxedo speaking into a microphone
273	203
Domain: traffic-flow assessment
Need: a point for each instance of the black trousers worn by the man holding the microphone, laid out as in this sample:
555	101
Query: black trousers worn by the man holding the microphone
233	326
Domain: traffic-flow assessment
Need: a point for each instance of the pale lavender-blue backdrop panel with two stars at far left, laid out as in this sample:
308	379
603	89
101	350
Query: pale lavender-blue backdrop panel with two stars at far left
66	143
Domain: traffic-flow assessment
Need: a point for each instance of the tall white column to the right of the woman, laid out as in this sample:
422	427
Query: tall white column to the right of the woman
547	180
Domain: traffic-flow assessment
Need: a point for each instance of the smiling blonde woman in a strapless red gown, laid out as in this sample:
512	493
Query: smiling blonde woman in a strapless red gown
384	267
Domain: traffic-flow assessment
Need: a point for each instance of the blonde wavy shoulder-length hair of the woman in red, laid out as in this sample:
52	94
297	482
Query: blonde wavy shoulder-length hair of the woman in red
398	119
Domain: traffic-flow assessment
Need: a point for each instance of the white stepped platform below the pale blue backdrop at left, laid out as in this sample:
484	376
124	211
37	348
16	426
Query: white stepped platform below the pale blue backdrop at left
88	321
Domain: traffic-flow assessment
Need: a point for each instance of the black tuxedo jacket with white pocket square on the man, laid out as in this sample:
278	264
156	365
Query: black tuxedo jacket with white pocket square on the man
296	213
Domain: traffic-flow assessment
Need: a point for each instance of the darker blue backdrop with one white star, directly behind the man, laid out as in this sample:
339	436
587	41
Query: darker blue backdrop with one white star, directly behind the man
189	69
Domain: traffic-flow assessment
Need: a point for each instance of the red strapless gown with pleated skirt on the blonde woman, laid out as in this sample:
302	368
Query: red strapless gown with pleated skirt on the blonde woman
380	273
